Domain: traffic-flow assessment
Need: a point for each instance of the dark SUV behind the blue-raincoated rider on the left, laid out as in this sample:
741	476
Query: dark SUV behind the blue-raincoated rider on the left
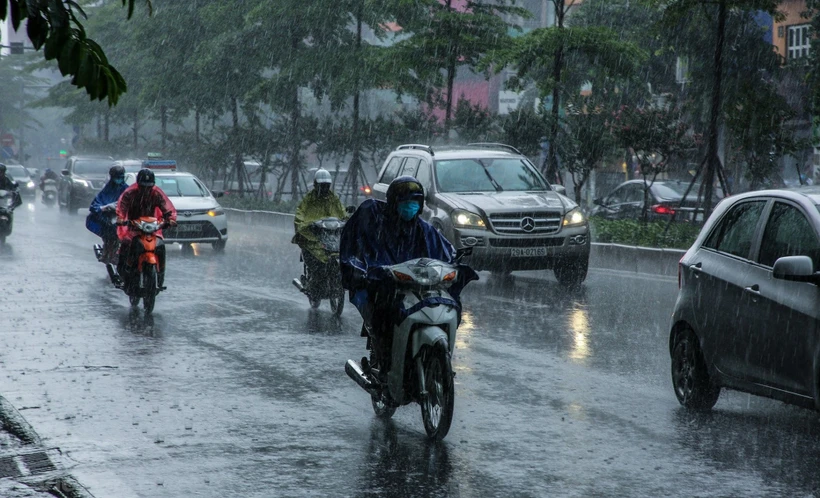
82	178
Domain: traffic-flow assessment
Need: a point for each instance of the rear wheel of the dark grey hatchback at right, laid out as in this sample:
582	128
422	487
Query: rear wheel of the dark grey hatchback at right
694	388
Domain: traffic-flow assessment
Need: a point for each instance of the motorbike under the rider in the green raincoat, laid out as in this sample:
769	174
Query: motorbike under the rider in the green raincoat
328	283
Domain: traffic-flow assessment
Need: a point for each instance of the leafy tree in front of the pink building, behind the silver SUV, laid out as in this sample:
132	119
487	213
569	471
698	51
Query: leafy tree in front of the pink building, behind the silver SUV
449	35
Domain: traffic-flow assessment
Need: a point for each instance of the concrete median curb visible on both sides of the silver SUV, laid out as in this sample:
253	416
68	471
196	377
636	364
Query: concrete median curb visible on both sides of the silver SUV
634	259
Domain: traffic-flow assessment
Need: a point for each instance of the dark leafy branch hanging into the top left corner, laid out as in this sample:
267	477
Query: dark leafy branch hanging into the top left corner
56	27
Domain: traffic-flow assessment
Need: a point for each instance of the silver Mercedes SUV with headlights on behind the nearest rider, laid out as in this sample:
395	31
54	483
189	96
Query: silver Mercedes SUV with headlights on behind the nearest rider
490	197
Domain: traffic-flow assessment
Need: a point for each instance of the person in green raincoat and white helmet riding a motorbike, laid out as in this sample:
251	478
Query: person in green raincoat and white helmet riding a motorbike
319	203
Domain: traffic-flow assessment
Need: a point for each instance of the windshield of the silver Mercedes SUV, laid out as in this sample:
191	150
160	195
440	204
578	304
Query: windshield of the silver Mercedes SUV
488	175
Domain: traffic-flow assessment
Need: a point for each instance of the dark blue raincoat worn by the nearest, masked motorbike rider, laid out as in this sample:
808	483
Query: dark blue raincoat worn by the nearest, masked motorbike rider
373	237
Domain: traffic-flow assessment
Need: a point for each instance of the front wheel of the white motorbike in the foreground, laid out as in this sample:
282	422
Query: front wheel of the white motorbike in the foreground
437	407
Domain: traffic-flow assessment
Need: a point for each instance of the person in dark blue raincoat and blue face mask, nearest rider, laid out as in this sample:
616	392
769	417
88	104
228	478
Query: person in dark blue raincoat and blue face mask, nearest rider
388	233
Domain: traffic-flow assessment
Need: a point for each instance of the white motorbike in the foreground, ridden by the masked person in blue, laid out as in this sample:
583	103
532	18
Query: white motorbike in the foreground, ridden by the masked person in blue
424	338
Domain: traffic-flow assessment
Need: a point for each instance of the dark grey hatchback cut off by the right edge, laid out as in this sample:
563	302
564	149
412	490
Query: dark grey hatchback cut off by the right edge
747	313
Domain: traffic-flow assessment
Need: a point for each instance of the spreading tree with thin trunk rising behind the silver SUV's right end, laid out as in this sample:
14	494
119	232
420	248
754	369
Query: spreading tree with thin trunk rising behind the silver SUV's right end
541	56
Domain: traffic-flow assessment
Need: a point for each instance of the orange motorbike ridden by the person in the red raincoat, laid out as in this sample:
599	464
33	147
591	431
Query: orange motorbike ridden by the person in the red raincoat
143	281
